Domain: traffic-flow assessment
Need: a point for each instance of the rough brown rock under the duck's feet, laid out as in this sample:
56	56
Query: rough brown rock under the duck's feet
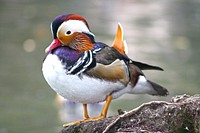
180	115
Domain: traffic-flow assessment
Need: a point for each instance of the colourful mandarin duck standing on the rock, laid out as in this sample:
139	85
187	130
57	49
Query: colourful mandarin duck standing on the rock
85	71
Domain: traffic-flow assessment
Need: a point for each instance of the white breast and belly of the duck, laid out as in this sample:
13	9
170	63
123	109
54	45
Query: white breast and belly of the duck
74	88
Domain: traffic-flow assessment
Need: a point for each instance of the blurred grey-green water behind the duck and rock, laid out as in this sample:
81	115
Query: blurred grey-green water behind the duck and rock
164	33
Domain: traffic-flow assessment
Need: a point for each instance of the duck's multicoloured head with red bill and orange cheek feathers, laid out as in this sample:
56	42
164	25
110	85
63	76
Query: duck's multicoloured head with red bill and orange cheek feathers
71	30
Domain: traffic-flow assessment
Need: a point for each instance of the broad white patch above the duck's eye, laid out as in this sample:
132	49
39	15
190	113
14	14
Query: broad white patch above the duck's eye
73	26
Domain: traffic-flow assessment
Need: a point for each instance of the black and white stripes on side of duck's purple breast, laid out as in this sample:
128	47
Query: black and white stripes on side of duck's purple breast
84	63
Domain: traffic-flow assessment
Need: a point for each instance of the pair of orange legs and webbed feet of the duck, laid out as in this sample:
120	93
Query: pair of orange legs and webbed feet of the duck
86	116
